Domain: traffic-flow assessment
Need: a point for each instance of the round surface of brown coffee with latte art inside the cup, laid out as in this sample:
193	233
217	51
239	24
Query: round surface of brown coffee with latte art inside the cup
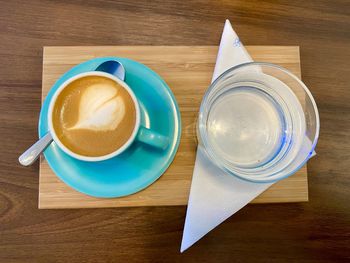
94	116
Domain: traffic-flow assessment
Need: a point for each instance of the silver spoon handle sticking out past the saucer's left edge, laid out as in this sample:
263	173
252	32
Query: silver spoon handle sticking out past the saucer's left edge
30	155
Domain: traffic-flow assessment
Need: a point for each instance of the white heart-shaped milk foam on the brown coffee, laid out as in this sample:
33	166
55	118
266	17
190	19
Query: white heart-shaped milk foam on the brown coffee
100	109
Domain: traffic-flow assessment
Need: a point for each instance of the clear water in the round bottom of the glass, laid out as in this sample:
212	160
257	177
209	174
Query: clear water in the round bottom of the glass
246	126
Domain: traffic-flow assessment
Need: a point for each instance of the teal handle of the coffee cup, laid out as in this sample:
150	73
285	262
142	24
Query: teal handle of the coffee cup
152	138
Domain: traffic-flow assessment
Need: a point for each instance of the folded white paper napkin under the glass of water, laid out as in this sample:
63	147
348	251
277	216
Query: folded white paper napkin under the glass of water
215	195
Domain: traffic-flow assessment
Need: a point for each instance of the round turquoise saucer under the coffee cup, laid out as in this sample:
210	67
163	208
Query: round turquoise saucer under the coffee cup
140	165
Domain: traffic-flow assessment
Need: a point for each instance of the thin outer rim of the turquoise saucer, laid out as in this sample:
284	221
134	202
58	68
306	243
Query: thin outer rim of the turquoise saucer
159	172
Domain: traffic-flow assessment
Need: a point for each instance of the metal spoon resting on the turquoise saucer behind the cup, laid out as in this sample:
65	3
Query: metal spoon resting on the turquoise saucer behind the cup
31	155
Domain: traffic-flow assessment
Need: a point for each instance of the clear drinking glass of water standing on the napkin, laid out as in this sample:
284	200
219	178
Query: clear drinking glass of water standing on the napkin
259	122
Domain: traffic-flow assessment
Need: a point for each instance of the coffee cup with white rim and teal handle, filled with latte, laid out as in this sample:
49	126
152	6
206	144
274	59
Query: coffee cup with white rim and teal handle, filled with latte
95	116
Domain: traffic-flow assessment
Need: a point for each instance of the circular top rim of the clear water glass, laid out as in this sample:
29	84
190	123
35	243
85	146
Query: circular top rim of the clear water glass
203	134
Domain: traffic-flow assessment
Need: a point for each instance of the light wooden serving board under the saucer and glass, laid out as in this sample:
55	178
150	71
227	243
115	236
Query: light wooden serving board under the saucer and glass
188	71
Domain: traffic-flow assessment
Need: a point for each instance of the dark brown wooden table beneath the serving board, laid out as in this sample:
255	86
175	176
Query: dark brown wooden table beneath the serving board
307	232
